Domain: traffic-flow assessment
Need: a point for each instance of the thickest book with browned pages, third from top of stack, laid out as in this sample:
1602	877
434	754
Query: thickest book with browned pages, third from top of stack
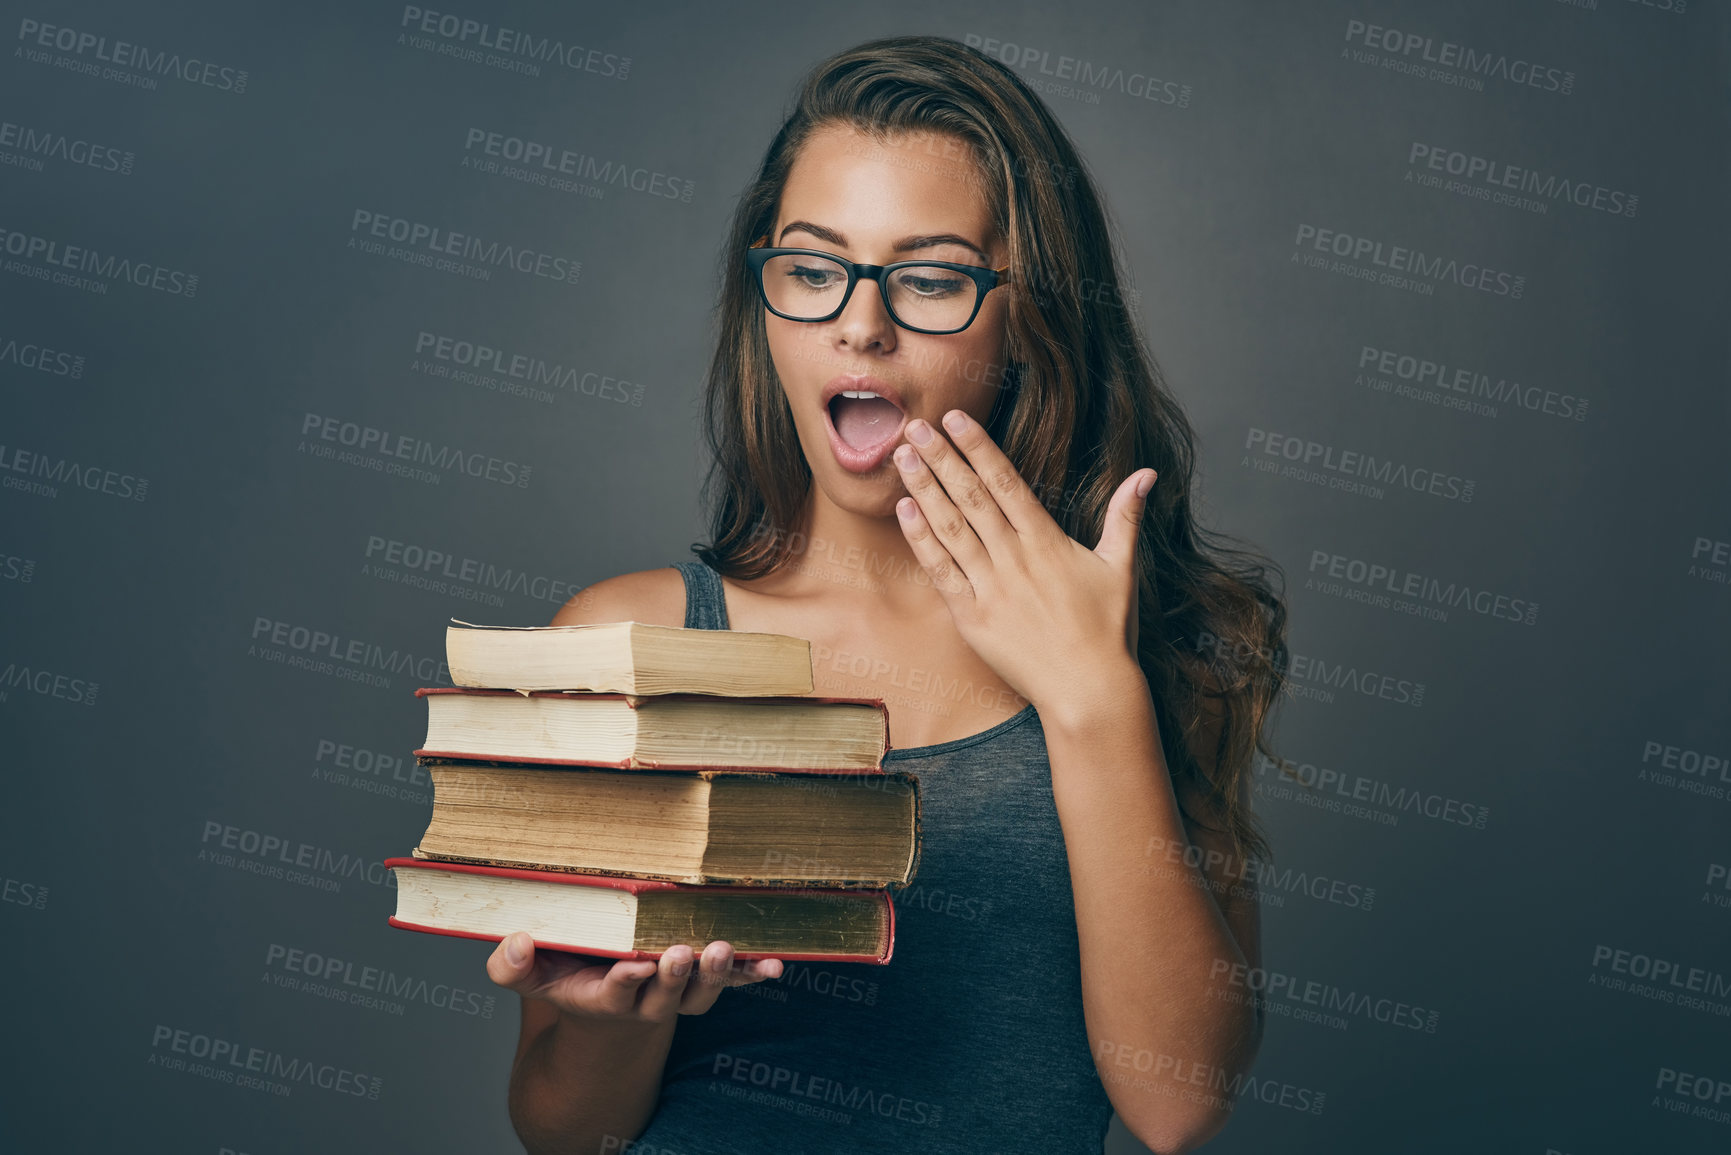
705	827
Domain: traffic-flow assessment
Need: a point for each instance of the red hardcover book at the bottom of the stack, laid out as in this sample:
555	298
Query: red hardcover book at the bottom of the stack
640	919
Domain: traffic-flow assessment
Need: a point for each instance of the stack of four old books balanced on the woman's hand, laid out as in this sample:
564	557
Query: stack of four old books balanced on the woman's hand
621	789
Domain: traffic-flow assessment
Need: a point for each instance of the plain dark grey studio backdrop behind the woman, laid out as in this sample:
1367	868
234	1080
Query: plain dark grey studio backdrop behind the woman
115	927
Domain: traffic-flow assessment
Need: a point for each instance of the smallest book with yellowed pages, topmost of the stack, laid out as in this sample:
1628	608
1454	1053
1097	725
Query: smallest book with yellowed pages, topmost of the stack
627	659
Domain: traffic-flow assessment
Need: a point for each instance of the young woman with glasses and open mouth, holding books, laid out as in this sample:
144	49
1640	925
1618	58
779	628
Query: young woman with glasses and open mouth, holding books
923	266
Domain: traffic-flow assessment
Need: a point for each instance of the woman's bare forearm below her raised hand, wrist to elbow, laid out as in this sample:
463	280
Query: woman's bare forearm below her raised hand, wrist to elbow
1155	946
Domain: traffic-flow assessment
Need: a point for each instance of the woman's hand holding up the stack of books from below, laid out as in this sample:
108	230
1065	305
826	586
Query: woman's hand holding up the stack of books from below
624	990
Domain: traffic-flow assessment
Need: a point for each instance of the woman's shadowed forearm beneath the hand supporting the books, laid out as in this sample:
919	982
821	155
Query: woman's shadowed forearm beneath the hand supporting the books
586	1088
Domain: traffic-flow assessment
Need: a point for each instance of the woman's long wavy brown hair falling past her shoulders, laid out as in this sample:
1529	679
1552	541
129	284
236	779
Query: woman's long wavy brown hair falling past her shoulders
1083	403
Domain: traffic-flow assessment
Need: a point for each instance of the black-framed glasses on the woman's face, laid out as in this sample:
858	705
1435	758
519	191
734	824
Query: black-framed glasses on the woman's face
925	297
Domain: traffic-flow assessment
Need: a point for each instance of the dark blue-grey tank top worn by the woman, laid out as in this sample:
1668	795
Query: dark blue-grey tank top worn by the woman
970	1040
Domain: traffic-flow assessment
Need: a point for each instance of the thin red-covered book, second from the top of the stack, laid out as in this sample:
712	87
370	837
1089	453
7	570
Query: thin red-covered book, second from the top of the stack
662	732
